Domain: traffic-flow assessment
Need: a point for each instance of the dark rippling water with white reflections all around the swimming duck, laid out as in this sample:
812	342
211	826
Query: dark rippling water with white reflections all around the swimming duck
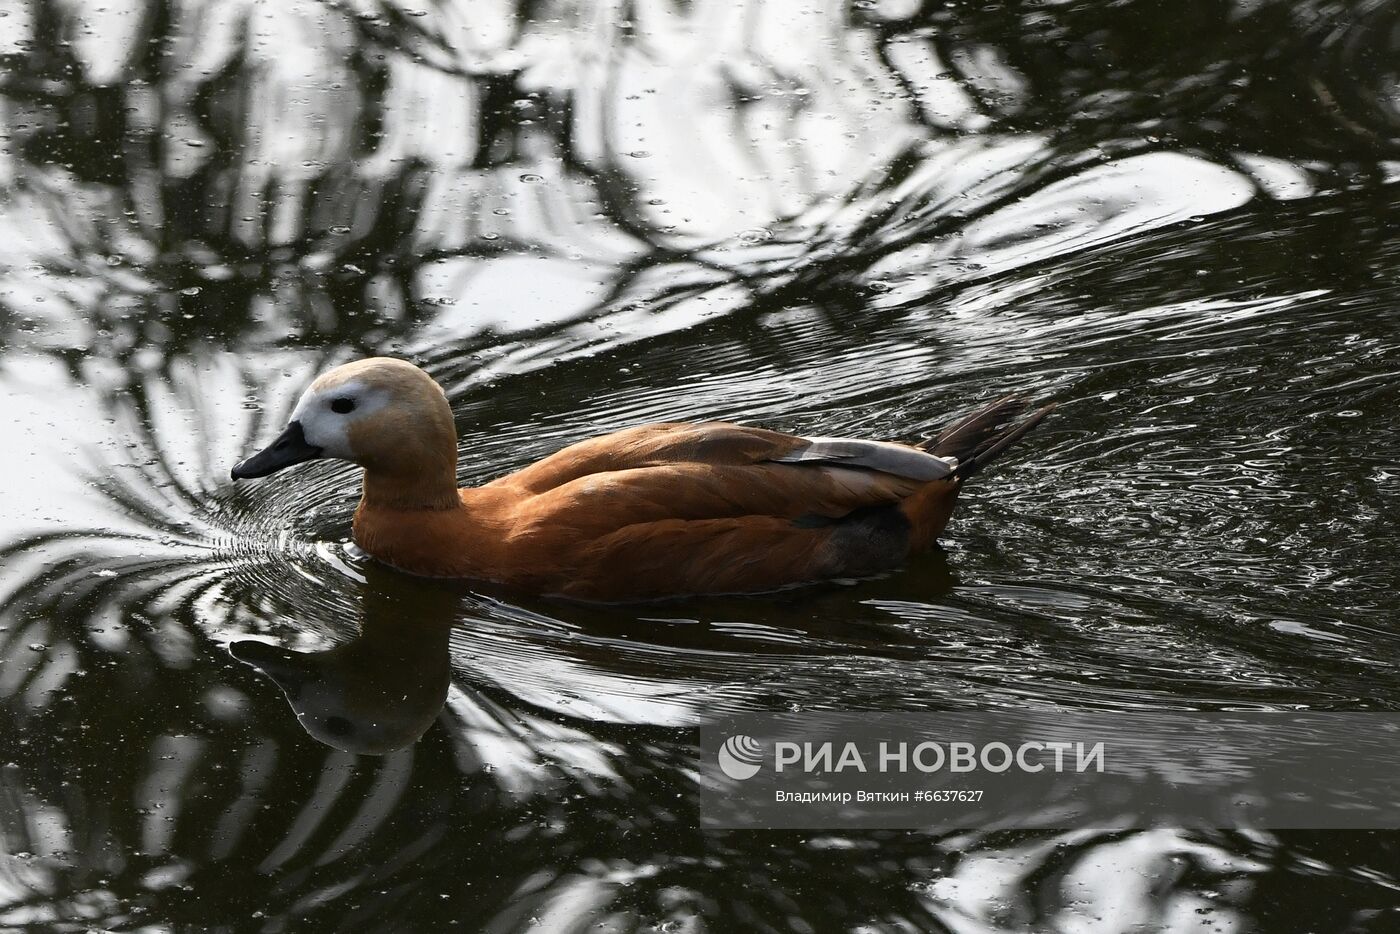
1177	222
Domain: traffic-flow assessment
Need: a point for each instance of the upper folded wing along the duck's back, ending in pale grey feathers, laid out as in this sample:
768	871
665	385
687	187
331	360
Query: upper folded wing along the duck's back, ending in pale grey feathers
720	445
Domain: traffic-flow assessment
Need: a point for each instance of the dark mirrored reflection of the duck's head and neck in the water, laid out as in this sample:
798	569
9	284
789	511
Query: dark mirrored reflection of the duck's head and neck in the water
384	688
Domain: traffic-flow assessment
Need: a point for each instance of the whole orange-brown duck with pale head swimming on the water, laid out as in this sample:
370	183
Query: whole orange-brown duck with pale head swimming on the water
656	512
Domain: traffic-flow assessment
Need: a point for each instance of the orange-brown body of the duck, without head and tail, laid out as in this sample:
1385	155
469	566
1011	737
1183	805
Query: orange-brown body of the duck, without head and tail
660	512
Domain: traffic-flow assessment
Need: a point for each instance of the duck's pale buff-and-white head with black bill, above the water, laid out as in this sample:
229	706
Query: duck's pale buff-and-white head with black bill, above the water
386	415
